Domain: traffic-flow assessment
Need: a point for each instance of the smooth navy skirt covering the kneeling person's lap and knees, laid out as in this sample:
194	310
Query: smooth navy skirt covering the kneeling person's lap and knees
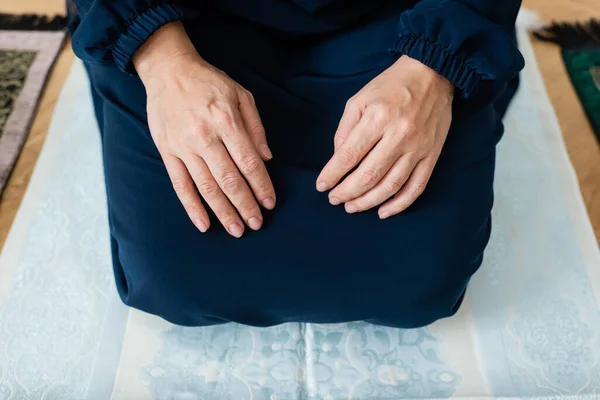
427	253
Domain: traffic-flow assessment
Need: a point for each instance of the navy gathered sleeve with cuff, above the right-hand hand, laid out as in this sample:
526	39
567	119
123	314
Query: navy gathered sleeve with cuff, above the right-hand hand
469	42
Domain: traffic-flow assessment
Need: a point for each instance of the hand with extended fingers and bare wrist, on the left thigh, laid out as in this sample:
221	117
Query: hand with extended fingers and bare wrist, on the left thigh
208	132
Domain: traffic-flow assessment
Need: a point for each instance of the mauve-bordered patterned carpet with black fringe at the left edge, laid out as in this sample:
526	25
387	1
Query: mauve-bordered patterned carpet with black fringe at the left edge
28	47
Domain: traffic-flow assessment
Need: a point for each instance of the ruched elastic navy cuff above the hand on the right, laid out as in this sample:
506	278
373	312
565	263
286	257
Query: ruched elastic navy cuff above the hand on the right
464	77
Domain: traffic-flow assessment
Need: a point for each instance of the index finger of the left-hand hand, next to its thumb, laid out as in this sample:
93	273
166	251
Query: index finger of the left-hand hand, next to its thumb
250	164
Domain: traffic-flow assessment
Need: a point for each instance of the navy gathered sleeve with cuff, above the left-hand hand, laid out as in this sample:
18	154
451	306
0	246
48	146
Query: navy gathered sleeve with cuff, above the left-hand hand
110	31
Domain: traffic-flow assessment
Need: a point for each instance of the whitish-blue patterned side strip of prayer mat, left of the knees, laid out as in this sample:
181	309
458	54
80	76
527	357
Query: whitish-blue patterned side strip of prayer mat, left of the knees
53	314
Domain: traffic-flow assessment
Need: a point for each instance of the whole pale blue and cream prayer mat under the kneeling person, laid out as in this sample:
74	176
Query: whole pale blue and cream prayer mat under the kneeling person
528	328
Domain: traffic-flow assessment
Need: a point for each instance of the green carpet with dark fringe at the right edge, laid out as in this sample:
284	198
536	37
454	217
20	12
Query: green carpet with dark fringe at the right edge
580	45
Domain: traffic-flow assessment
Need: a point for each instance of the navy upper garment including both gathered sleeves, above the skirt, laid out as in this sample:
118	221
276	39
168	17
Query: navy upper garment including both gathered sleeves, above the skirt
470	42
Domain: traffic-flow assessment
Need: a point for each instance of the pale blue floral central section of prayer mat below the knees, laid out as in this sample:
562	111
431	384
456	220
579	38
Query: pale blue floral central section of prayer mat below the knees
341	361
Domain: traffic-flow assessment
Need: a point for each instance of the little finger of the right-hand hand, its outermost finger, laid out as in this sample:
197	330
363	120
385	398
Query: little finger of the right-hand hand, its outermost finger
412	189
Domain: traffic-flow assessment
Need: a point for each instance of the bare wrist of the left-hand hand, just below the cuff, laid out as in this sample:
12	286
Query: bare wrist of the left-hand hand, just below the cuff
166	49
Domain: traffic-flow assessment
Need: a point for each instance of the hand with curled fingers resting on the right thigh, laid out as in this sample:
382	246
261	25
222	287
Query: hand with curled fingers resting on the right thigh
394	130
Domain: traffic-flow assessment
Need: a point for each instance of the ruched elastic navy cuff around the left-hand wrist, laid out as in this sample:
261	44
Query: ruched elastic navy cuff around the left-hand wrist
140	29
